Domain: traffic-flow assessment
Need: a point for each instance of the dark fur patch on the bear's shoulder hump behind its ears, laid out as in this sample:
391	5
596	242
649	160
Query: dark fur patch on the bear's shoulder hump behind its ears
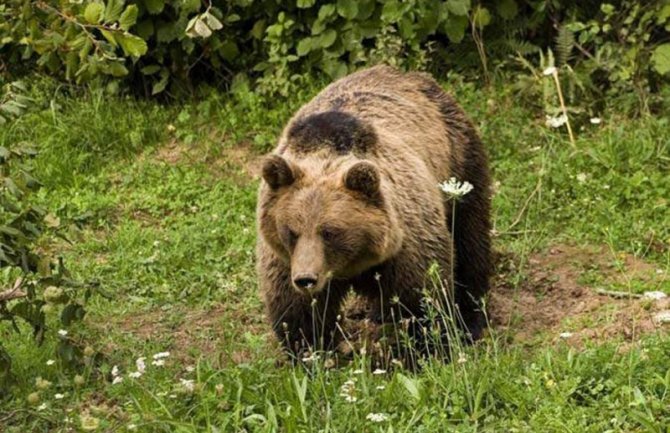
336	130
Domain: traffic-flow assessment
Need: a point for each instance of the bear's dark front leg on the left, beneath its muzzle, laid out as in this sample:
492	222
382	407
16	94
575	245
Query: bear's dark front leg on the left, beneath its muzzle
302	322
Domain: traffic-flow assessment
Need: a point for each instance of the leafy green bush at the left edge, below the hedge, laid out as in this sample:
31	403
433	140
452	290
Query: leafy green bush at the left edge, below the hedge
36	284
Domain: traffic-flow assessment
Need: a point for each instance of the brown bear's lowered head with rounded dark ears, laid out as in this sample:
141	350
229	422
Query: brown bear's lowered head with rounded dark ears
327	219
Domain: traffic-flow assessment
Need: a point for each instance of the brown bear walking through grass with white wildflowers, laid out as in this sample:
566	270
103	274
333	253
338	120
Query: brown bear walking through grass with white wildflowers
350	199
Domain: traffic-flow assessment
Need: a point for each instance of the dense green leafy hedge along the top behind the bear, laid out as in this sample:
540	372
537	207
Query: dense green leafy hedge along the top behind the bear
159	45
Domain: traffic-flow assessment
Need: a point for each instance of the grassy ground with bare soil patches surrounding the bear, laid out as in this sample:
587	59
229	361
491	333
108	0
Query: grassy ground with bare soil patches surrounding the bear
163	200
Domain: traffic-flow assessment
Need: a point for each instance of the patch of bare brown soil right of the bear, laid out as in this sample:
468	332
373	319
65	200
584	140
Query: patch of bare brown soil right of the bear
551	302
